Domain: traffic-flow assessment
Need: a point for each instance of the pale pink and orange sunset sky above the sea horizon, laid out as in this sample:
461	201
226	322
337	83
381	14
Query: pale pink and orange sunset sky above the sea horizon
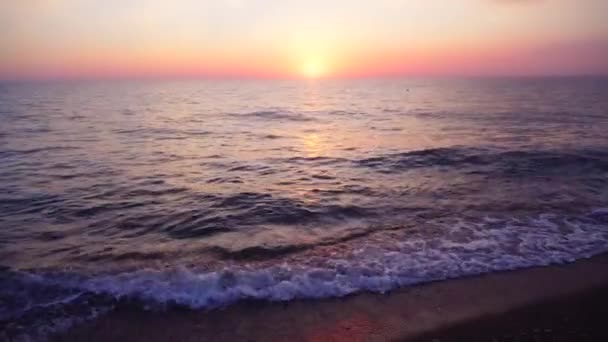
42	39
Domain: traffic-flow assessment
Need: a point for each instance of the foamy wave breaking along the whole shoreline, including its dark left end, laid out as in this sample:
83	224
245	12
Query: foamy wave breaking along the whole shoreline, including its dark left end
464	248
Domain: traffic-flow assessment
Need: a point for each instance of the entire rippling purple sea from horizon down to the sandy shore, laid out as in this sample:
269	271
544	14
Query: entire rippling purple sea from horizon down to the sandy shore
204	193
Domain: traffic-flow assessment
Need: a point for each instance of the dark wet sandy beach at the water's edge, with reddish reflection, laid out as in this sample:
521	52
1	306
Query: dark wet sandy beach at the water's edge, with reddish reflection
556	303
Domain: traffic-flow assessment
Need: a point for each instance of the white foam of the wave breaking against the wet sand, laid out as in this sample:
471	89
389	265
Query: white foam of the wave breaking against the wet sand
516	244
